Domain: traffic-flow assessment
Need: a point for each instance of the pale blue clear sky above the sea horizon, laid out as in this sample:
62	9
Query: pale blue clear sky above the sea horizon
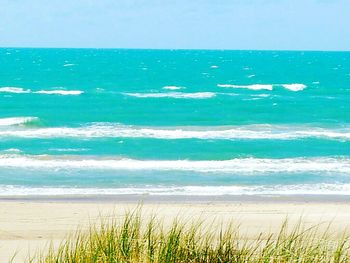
177	24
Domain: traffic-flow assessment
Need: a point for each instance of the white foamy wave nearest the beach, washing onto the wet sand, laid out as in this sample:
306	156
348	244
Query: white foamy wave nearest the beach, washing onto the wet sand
284	190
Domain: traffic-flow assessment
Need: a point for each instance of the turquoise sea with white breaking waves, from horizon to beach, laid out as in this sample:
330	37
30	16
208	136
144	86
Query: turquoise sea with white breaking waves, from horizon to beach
174	122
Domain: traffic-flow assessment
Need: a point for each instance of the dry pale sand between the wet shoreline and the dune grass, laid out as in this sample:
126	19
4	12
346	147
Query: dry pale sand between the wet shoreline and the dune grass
29	225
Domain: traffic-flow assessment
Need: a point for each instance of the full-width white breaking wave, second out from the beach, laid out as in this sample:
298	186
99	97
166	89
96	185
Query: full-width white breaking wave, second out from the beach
239	165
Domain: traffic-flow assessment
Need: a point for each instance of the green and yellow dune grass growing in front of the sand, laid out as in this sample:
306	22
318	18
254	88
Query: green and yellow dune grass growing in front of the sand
136	240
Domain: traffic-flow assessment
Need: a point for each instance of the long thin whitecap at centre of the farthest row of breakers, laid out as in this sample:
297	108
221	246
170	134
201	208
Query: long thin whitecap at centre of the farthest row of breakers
175	95
